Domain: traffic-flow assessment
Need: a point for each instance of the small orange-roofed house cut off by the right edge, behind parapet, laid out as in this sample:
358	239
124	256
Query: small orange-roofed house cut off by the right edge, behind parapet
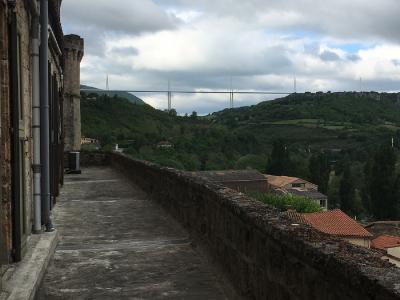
389	245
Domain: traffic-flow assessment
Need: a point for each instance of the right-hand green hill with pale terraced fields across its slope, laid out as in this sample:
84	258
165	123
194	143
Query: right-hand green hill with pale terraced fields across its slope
322	121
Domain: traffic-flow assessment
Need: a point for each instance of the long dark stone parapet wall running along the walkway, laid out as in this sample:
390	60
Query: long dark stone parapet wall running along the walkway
258	249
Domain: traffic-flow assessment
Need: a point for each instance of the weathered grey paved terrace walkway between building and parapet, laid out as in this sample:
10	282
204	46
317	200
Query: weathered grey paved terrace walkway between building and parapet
117	244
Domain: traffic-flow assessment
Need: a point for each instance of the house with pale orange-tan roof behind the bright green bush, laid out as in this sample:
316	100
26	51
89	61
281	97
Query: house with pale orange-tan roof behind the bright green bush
297	186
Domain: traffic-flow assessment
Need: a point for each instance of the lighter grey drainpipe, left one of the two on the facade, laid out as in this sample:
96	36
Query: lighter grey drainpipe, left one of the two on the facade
37	224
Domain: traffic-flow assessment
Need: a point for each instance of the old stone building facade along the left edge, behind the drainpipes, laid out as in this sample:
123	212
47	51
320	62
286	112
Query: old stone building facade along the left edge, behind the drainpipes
18	82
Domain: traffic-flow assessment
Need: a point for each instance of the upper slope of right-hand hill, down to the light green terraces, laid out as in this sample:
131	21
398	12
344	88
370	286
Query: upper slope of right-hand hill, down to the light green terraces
340	109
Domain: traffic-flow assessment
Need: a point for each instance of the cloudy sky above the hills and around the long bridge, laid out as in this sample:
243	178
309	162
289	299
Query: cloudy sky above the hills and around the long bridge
256	44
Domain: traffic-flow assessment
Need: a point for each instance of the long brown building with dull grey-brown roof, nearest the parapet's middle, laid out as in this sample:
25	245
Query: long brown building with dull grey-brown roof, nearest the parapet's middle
244	181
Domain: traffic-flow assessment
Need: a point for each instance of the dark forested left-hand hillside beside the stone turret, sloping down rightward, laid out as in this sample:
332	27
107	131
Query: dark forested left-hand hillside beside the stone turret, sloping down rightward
197	142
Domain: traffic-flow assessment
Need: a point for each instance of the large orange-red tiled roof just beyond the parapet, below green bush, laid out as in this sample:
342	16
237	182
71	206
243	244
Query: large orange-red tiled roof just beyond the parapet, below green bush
332	222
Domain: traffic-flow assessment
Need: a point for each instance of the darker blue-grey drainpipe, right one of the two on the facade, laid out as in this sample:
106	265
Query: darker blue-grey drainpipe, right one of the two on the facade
44	114
